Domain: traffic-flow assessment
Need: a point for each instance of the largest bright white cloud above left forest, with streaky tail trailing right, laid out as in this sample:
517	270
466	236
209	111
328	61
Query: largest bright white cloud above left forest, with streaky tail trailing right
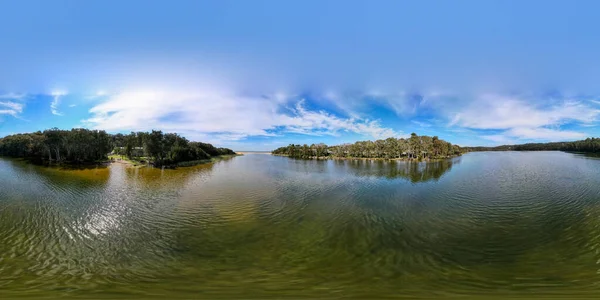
216	115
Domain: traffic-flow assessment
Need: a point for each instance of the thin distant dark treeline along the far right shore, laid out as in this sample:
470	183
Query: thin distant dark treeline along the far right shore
589	145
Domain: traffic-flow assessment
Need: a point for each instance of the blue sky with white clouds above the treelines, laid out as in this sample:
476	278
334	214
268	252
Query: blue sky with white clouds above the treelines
257	75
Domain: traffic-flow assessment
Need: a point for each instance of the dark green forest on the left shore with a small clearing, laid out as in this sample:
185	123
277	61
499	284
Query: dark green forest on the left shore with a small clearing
85	146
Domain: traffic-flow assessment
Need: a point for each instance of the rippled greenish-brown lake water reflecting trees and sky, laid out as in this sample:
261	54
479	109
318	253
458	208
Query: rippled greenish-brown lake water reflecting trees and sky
522	224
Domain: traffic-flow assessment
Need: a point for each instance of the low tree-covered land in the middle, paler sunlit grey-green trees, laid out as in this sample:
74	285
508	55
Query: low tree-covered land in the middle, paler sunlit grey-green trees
414	147
